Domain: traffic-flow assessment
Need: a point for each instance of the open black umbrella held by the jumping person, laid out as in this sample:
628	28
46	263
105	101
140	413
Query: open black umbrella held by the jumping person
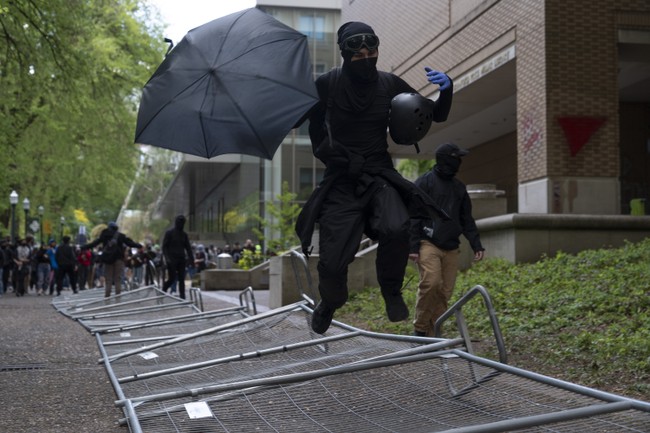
237	84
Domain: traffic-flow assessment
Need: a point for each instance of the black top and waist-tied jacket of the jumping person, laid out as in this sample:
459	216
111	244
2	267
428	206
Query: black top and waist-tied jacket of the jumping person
360	148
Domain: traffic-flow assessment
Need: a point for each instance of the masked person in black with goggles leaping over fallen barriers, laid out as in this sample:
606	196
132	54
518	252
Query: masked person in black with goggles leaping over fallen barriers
361	191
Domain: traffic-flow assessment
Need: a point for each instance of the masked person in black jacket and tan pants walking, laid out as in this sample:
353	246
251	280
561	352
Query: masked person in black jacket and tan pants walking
434	246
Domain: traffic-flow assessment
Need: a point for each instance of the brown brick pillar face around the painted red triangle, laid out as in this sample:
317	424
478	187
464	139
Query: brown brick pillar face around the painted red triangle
582	81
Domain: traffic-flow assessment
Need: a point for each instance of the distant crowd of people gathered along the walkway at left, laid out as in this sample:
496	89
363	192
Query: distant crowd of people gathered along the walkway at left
48	268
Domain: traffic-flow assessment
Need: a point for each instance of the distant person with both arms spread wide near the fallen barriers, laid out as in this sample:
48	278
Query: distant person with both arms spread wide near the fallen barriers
113	243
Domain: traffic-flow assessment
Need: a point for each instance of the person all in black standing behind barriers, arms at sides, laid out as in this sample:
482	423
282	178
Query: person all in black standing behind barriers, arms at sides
177	252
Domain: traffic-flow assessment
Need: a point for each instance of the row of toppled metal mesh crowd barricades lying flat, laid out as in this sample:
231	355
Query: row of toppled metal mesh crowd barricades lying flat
175	368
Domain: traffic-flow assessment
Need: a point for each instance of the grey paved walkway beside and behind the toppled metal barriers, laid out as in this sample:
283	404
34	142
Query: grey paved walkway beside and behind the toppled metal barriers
50	379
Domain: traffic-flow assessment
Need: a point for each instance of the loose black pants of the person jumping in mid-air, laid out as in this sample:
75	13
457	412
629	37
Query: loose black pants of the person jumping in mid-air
382	215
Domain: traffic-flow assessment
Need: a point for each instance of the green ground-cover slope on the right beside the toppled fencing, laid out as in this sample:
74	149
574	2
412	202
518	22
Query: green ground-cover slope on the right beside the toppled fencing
583	318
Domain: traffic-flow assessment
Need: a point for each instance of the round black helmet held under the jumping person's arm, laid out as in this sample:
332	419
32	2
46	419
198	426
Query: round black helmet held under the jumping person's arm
410	118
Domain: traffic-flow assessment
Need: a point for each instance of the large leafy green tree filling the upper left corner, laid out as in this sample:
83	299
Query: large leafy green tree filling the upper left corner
71	72
